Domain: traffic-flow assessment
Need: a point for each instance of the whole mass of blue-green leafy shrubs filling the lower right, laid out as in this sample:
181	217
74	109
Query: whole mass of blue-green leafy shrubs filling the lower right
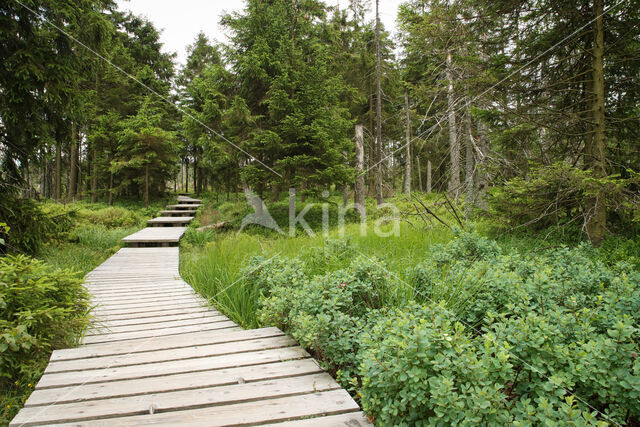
495	337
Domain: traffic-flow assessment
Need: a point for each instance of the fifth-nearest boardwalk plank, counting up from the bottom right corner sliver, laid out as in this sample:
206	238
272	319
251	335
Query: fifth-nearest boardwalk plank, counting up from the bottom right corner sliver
171	367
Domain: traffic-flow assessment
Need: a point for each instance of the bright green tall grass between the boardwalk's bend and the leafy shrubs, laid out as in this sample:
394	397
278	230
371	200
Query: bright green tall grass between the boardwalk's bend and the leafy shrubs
214	269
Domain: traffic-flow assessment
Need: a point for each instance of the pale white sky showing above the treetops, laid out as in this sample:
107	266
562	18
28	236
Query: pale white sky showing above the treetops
180	21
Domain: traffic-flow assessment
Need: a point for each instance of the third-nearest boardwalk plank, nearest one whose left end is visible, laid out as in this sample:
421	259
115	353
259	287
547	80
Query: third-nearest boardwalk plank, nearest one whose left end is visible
177	400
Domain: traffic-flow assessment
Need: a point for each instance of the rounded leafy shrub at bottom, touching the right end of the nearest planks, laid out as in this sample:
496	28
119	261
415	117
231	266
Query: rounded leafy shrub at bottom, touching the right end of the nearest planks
419	365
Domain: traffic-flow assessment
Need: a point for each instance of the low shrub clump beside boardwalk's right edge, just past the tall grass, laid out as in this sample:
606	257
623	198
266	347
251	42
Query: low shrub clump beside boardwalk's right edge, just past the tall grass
323	313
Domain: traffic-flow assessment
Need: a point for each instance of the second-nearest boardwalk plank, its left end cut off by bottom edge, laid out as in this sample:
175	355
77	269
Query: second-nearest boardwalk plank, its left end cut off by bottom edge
260	412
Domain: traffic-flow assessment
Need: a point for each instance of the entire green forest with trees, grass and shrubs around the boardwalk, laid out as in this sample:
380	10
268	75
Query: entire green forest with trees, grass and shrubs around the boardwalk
504	133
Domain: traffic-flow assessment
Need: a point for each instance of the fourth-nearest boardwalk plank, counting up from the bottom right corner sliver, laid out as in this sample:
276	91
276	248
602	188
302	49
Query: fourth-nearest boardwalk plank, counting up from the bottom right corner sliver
186	381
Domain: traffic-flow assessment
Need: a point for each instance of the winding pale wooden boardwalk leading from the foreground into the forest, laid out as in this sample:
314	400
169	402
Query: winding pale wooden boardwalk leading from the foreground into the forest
158	354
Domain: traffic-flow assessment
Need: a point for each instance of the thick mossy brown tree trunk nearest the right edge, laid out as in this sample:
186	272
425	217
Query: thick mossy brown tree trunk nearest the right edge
597	210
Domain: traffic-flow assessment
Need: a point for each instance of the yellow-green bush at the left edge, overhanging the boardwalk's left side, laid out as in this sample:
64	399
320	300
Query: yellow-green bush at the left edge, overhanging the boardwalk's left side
41	309
